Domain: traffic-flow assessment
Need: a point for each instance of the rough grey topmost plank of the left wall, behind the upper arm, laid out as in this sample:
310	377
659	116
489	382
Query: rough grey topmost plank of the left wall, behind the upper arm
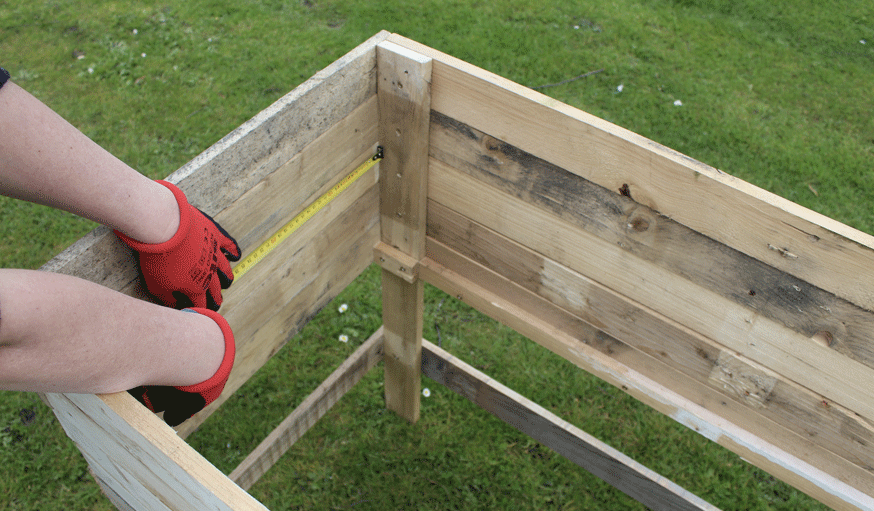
225	171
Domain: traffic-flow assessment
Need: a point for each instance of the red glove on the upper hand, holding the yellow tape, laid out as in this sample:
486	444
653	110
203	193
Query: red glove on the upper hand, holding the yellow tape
193	266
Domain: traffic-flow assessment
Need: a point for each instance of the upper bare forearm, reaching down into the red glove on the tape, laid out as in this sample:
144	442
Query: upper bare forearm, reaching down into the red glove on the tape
44	159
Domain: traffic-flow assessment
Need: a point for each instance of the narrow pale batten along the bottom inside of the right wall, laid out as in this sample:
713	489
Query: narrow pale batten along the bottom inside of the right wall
540	324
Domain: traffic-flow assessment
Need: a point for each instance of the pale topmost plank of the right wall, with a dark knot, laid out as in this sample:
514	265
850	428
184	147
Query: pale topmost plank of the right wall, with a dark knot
823	251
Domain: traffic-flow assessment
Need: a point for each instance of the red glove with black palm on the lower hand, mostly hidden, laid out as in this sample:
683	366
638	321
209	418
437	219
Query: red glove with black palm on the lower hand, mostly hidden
180	403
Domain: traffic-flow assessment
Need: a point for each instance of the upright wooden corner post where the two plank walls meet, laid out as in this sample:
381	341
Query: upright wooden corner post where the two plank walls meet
404	90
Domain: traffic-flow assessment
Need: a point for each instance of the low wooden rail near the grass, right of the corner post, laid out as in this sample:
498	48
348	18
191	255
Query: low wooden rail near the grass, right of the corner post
638	482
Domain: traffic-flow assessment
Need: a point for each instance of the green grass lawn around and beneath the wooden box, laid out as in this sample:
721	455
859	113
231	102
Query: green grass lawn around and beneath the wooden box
778	94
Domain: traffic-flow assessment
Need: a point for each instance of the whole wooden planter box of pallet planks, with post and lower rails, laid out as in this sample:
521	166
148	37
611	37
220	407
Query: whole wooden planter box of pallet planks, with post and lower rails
735	312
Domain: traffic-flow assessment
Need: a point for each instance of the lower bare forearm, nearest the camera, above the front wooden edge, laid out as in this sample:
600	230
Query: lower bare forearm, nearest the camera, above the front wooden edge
63	334
